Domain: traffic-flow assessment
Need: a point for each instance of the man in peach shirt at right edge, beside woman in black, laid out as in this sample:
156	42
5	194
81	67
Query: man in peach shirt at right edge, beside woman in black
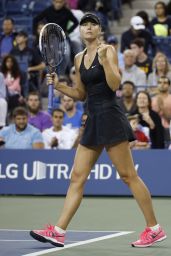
161	103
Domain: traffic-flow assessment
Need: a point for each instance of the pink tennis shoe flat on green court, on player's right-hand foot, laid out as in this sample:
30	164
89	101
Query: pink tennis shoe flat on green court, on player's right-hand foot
149	237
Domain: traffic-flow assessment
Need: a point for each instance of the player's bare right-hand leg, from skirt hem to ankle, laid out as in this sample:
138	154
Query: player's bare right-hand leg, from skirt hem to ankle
122	159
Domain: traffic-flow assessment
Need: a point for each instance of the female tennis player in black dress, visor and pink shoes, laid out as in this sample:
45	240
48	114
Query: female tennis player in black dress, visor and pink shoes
106	127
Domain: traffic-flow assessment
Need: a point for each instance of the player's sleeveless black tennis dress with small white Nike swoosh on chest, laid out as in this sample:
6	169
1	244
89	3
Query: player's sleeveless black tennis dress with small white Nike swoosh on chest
106	123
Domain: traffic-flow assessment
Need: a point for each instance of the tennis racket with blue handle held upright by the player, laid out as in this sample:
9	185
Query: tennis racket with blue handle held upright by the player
52	45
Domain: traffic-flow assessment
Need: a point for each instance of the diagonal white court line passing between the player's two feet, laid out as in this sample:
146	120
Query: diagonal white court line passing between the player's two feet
78	244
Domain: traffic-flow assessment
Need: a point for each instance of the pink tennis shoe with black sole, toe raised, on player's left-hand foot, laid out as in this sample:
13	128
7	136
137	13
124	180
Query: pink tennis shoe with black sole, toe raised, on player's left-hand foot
49	234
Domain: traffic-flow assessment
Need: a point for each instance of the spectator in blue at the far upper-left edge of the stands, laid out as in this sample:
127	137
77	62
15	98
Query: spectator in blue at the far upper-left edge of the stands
8	36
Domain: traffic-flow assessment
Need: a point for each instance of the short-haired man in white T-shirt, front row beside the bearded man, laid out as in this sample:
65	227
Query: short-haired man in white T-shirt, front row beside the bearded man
59	136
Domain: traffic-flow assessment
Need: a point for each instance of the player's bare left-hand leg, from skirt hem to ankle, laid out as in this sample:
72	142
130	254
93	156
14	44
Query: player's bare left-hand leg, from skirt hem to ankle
85	158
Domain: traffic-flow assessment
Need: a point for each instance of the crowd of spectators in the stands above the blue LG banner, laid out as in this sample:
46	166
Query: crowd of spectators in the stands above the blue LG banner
145	90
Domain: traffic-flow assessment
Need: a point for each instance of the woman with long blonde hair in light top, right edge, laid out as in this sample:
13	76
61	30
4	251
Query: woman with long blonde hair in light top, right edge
161	67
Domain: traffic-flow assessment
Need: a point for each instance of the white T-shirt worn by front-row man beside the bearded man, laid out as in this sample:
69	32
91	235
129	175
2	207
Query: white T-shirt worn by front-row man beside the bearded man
65	137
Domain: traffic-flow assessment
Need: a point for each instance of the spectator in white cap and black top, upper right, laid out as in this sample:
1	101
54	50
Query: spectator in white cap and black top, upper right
137	30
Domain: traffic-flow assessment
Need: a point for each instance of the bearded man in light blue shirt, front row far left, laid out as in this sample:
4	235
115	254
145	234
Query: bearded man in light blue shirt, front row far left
21	135
